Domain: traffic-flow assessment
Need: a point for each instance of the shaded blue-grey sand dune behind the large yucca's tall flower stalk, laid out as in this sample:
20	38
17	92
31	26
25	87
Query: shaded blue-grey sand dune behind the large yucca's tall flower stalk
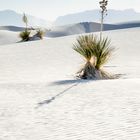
87	27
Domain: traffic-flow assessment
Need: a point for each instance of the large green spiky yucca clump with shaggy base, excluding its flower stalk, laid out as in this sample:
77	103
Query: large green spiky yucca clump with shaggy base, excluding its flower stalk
96	53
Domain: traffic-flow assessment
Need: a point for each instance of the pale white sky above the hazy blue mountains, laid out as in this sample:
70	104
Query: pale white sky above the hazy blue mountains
51	9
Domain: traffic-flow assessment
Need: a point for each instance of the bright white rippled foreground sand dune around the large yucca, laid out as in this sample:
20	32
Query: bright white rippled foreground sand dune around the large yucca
41	100
